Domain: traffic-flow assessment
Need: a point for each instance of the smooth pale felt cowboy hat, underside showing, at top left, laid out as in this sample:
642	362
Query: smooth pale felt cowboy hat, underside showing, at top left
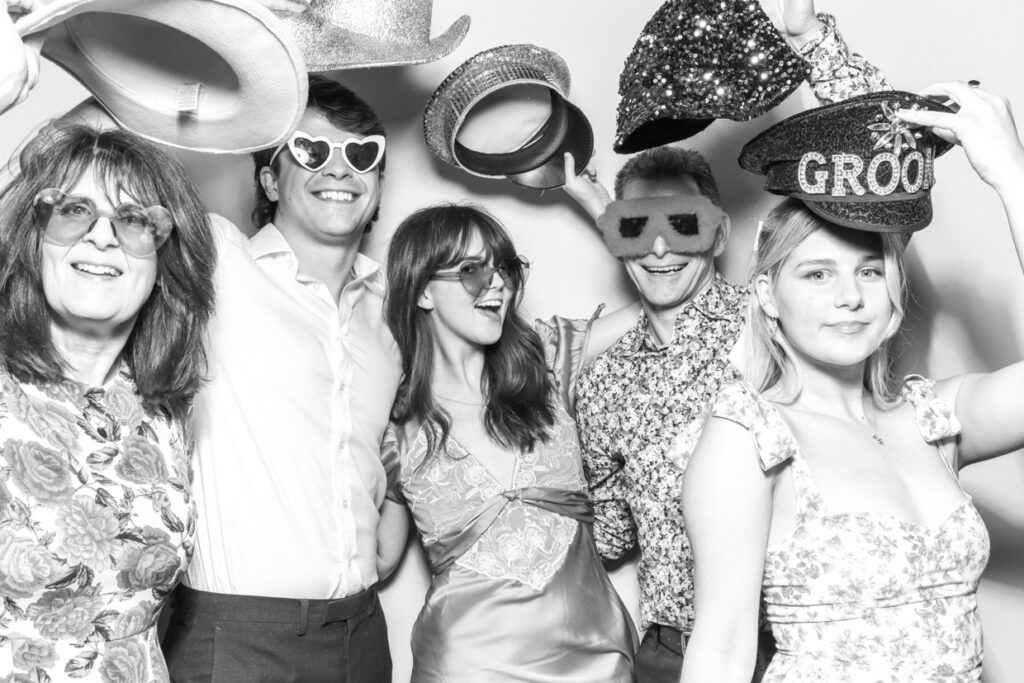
218	76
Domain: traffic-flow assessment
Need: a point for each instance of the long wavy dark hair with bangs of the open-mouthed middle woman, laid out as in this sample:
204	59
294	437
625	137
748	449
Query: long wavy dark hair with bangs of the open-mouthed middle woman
517	385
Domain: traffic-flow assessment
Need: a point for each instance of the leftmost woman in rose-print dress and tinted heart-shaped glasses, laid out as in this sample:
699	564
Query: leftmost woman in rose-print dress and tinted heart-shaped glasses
106	283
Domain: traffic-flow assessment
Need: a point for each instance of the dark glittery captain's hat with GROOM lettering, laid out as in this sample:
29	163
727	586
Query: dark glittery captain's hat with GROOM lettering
855	163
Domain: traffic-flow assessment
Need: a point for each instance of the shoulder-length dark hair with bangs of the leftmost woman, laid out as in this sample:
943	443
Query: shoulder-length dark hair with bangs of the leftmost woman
165	351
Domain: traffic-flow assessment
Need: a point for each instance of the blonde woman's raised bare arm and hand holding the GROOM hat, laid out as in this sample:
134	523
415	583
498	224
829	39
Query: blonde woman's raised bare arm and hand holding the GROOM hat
990	407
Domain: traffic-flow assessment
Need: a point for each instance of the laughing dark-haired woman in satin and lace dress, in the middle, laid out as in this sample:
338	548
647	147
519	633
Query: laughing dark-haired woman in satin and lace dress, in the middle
486	457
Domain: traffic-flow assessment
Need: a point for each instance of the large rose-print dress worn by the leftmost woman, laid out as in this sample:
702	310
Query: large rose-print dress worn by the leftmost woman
97	525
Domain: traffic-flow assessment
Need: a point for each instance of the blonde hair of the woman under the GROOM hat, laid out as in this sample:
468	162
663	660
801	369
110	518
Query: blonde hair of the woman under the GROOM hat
770	358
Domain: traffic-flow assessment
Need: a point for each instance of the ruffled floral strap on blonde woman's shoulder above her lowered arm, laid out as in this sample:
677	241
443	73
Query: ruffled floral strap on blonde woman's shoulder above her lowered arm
774	443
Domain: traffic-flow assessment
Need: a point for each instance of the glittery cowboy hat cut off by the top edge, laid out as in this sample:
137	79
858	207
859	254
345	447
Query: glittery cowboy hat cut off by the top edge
353	34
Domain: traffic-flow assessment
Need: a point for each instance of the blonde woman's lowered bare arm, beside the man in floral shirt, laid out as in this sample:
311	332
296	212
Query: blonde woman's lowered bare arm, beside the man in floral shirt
728	507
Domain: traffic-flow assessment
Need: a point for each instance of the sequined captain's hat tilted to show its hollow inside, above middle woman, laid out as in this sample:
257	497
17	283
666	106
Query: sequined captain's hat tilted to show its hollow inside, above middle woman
504	113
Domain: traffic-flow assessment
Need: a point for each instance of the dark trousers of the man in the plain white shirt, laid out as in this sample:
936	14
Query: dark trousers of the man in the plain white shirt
218	638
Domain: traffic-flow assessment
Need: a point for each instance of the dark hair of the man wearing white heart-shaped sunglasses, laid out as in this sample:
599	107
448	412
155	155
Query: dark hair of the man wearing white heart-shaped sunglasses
345	110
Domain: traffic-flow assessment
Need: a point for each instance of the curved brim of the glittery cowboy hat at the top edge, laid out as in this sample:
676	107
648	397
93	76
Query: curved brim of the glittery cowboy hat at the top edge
329	48
